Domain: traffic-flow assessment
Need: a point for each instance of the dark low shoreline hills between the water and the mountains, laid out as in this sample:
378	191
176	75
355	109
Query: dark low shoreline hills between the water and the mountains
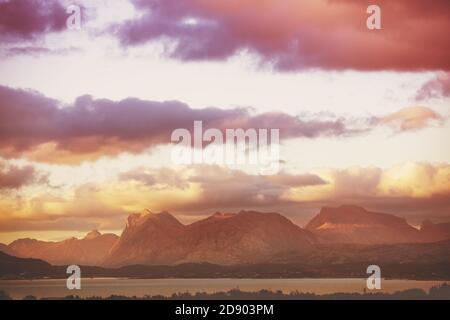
314	267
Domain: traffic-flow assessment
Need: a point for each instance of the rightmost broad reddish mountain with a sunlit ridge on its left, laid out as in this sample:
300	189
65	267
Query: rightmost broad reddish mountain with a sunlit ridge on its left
352	224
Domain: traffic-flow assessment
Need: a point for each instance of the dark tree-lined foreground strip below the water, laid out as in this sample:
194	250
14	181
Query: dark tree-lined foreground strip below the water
441	292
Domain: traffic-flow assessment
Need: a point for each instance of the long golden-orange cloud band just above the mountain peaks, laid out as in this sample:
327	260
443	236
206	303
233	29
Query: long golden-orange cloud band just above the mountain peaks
201	190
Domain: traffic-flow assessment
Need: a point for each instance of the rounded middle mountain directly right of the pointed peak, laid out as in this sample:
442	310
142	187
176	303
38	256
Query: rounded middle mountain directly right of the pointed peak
246	237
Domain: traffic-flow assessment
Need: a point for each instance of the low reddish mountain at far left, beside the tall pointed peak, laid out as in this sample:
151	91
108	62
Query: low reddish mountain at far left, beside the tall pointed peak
91	250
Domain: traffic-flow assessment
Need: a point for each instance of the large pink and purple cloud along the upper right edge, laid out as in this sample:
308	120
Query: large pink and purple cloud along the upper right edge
298	34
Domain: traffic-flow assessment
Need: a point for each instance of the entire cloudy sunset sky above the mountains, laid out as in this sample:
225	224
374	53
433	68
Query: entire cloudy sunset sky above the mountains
86	115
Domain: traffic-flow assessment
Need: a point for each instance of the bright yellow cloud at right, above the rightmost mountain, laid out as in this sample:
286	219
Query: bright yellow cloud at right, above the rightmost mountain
410	180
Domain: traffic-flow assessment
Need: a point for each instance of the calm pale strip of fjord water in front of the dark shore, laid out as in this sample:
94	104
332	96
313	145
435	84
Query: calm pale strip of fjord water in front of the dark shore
104	287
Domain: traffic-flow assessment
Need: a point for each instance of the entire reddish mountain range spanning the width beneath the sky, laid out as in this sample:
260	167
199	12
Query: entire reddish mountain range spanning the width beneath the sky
247	237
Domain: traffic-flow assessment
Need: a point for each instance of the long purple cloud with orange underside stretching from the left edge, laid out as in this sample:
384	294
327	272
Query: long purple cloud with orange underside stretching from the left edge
94	127
